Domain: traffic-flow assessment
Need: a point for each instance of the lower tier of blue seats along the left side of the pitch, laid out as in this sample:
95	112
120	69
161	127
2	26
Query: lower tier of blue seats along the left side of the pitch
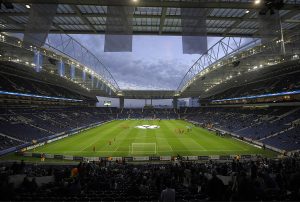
27	124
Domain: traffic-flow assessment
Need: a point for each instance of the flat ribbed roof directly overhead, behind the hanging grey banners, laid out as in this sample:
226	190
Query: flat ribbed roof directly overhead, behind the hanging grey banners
157	17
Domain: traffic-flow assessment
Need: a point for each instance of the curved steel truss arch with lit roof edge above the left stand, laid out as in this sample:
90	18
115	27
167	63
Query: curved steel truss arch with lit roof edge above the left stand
62	45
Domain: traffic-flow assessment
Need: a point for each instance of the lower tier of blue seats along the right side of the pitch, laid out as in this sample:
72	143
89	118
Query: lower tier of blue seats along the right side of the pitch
272	126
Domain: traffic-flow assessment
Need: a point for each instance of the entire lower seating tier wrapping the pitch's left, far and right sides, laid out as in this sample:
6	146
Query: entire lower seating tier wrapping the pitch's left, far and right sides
274	126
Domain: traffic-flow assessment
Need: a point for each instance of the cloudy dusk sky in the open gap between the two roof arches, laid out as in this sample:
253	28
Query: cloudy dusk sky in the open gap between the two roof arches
156	62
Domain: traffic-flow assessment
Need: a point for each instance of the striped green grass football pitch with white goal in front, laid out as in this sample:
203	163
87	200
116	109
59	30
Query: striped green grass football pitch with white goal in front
168	141
